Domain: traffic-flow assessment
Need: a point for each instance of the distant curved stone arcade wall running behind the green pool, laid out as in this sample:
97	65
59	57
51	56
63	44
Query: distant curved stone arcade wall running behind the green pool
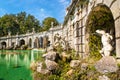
35	38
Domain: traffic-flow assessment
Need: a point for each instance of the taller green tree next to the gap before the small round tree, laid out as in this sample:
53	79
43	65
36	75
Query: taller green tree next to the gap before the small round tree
27	22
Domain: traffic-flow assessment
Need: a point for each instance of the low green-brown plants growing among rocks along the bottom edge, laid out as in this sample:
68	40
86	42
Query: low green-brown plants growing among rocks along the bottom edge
88	73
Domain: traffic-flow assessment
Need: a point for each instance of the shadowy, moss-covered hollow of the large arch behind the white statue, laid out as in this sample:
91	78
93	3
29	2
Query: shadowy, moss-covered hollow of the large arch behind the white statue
100	17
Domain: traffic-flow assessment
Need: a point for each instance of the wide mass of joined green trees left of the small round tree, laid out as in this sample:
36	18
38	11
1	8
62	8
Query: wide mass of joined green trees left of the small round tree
20	22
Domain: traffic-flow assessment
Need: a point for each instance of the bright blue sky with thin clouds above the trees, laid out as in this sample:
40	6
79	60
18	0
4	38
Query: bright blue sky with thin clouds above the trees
39	8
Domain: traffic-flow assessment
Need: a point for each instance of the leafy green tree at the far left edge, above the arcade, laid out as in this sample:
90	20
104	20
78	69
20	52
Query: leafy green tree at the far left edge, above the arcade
8	23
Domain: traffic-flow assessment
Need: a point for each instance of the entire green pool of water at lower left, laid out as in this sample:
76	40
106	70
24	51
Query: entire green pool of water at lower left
15	64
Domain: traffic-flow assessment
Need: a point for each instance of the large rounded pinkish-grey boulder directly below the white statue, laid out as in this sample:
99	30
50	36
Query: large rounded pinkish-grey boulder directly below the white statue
106	64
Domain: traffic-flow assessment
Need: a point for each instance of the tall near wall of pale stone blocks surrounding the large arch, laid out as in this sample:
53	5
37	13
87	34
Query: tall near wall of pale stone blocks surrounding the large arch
78	25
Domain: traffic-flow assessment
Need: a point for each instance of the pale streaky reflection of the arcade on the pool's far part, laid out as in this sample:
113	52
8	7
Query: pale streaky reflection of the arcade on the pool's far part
19	57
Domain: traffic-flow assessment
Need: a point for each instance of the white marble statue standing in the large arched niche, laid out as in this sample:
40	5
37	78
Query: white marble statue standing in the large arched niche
106	39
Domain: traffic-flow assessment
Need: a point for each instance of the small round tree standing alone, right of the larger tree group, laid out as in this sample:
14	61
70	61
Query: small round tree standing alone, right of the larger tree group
47	23
